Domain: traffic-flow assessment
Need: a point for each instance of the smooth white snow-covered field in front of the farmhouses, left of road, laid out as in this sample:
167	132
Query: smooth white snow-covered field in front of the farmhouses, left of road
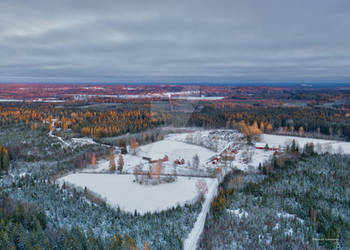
121	191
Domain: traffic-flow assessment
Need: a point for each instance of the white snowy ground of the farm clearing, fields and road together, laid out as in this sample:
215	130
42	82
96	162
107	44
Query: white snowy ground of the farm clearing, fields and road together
120	190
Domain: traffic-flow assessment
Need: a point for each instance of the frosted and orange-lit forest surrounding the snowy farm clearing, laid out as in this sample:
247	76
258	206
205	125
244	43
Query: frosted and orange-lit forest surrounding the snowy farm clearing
284	204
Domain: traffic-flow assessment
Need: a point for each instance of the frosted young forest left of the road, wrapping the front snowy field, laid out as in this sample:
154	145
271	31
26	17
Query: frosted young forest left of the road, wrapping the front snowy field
69	211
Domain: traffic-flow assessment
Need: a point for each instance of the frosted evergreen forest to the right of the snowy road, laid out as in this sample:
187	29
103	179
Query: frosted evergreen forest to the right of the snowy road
302	204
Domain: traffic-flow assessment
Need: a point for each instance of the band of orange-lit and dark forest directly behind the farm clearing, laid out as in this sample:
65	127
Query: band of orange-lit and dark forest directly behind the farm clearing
105	121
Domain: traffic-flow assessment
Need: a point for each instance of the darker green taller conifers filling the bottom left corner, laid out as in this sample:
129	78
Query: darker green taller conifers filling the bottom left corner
22	226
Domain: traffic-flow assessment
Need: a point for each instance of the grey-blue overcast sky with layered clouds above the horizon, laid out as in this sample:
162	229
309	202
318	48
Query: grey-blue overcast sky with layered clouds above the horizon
192	41
